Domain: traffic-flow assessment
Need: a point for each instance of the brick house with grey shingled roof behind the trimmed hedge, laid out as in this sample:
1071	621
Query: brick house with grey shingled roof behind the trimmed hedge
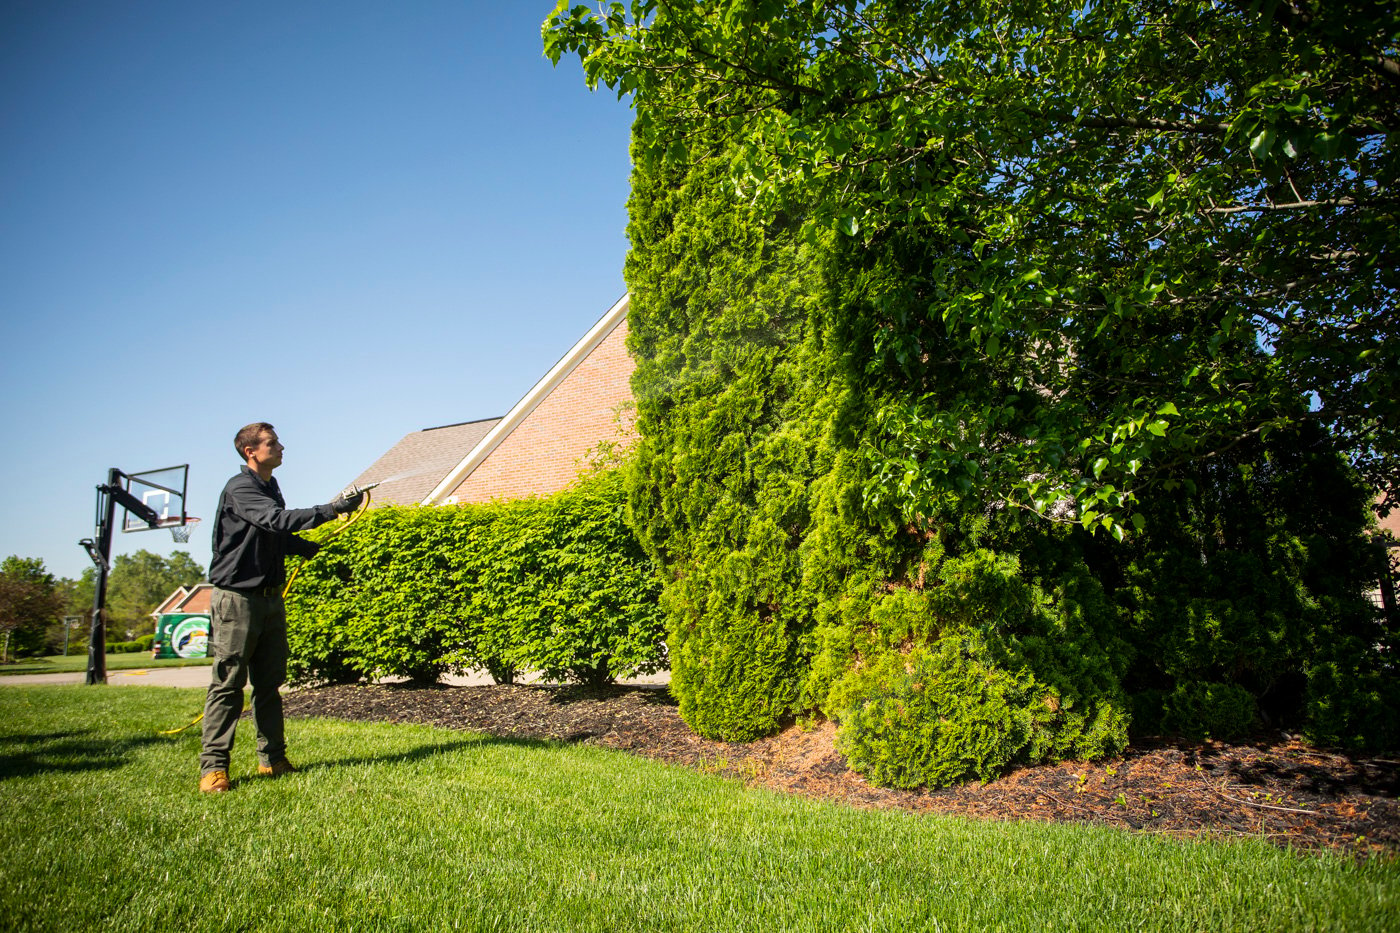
537	448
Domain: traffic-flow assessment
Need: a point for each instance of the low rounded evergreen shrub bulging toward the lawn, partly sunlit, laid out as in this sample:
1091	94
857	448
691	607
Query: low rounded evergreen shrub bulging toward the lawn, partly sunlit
979	672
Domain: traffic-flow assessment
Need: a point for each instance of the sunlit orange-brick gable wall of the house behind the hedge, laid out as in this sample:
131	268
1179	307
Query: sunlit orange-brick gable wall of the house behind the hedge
545	452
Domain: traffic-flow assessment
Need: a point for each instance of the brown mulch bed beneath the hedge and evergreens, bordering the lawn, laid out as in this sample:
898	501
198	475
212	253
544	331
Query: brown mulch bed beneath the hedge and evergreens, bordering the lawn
1276	789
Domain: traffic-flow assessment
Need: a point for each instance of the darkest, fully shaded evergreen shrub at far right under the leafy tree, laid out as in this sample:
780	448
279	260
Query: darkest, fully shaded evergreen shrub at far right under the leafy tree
1245	602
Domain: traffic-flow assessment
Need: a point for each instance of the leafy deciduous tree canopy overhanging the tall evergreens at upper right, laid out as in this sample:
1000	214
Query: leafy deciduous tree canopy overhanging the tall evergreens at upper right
1133	236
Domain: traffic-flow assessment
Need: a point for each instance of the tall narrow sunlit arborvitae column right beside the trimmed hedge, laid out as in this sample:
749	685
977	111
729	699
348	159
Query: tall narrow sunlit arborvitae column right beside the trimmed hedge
719	490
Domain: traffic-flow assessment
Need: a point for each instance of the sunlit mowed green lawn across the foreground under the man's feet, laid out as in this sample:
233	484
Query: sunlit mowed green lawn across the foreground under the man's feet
415	829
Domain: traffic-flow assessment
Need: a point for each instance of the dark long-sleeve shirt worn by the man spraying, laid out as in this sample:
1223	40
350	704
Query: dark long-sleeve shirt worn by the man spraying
254	533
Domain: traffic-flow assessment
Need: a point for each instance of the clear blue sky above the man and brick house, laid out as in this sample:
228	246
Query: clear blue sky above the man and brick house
349	219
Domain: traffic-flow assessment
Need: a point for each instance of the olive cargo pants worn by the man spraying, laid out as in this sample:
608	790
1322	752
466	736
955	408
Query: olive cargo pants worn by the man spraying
248	642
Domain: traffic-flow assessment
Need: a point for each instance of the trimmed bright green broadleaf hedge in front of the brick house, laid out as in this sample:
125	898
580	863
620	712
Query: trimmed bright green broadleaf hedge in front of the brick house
554	585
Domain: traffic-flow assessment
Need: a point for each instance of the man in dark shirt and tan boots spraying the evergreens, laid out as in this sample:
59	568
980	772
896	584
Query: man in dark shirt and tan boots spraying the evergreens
248	641
